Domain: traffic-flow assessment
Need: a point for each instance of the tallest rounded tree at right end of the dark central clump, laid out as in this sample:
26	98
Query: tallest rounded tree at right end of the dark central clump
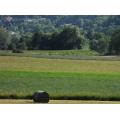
70	37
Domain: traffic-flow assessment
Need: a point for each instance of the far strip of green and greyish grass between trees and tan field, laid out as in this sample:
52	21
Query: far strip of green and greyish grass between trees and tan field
83	54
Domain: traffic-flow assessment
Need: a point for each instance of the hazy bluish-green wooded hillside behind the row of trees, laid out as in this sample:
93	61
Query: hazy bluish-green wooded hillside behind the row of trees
48	23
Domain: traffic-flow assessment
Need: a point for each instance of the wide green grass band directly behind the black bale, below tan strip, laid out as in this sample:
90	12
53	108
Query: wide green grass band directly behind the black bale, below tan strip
60	85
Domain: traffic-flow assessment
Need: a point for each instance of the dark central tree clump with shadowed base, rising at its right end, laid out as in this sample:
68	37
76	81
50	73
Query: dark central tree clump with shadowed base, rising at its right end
71	37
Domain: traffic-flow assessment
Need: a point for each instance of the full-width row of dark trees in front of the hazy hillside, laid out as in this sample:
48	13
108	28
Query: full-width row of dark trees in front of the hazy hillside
70	37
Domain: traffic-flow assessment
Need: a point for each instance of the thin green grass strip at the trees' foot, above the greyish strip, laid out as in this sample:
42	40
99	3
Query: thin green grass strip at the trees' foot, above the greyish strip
38	53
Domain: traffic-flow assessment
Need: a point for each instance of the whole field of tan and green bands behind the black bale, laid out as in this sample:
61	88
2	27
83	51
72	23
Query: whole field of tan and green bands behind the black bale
69	79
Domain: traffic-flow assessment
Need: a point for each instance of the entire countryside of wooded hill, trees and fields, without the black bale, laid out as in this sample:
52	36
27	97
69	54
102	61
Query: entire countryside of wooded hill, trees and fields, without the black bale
75	58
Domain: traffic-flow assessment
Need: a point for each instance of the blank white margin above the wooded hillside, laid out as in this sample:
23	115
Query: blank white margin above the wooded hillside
59	7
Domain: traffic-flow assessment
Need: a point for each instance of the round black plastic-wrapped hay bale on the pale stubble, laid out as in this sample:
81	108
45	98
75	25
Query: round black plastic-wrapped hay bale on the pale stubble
41	97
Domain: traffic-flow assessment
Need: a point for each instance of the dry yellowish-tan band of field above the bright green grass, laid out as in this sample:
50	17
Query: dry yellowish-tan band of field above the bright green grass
58	65
